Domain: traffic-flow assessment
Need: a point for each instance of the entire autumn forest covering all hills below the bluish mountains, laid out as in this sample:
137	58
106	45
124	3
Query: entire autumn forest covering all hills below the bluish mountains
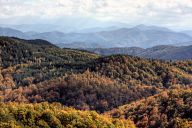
35	71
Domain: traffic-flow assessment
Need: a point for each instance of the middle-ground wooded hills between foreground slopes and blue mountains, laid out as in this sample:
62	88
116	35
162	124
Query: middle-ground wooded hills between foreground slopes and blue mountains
38	72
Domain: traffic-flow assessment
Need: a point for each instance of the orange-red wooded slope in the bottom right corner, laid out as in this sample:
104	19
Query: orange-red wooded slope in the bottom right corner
168	109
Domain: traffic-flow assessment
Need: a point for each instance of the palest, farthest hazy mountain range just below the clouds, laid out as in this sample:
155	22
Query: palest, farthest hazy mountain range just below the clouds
66	24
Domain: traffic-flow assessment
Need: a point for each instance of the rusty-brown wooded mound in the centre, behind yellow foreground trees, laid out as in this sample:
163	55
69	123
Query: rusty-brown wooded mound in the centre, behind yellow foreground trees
87	91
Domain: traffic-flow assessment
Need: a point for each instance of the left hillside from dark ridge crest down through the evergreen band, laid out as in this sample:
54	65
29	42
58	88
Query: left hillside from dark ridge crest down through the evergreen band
31	59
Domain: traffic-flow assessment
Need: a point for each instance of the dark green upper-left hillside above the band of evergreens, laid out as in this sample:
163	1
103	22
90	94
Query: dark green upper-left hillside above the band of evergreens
17	51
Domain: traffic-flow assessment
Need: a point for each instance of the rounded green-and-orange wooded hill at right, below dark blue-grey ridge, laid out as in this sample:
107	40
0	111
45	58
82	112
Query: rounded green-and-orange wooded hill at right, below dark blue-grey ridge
135	70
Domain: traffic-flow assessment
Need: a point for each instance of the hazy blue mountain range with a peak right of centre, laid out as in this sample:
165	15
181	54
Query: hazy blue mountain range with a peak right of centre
138	36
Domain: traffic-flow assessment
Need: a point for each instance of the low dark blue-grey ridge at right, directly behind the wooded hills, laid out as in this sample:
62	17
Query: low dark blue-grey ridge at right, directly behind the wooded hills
164	52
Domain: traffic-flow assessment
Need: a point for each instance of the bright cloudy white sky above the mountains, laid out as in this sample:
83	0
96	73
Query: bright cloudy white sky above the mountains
176	14
